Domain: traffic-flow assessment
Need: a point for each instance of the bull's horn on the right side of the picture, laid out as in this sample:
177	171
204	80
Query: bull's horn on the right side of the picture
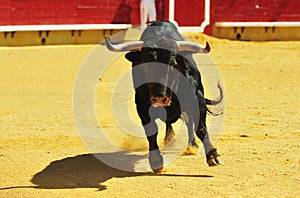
193	47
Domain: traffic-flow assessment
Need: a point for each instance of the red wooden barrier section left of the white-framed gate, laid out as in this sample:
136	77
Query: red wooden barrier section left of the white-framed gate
37	12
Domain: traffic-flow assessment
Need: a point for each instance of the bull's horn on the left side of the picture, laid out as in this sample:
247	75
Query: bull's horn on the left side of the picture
123	47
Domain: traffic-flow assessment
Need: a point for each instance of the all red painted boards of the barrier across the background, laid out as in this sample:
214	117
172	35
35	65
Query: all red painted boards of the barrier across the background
187	13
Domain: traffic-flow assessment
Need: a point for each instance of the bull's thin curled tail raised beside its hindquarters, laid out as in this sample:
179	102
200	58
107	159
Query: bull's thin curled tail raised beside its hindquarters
216	109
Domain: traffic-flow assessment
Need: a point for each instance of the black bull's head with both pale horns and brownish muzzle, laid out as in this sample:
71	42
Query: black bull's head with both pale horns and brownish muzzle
153	53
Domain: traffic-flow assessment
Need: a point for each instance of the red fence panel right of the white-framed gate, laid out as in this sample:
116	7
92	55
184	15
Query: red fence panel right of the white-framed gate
255	10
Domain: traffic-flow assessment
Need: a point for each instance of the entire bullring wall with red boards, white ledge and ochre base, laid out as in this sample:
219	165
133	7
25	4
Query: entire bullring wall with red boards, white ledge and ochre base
221	18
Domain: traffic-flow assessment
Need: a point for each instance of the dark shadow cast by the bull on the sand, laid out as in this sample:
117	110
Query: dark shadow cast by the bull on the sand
86	171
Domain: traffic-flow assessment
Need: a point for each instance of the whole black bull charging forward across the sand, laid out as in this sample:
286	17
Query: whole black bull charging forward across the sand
168	86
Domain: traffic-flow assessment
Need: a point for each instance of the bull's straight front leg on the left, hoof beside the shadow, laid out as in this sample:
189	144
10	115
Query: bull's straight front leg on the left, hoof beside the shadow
155	157
